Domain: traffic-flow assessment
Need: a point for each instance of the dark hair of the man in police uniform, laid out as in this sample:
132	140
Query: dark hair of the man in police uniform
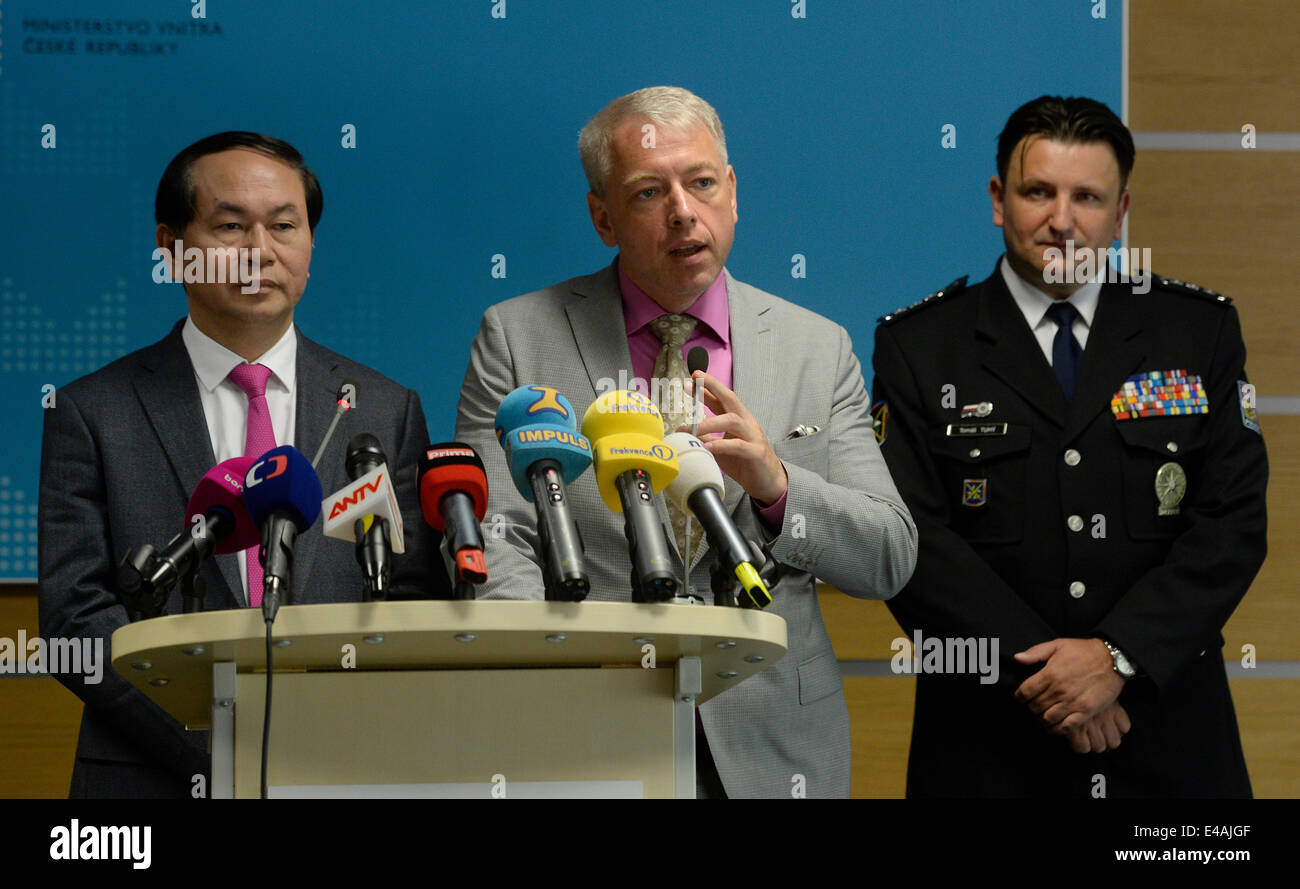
1068	120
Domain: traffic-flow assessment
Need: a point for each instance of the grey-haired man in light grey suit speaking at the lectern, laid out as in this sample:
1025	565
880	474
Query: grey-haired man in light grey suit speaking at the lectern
790	426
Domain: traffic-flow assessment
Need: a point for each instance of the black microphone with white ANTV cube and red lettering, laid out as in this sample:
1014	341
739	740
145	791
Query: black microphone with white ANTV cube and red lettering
367	513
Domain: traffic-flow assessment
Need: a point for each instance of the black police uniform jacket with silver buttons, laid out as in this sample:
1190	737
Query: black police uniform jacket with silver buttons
1000	560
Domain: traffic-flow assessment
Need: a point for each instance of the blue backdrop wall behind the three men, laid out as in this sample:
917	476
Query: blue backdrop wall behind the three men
466	127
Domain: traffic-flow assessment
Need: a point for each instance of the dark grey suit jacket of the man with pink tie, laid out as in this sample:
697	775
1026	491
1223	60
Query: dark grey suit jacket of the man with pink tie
124	449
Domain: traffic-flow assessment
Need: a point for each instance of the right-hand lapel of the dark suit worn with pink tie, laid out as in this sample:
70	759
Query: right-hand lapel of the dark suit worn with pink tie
315	405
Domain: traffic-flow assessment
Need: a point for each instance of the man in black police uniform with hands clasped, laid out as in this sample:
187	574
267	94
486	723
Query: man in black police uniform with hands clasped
1087	475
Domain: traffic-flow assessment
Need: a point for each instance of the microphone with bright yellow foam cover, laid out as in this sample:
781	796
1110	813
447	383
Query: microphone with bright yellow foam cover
632	463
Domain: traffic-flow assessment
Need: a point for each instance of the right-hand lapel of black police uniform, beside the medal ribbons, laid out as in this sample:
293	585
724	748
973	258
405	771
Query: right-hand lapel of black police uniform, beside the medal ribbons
1113	353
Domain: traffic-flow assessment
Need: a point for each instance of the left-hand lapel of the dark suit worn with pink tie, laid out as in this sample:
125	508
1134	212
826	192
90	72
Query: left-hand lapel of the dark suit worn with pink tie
170	393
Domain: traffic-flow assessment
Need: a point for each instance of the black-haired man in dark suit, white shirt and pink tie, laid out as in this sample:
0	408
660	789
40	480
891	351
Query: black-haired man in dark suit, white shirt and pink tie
124	448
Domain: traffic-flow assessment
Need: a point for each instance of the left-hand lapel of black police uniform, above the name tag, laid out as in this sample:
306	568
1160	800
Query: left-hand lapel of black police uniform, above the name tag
1009	352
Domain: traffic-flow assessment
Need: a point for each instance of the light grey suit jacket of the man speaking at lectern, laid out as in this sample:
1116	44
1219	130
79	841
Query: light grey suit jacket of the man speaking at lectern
844	519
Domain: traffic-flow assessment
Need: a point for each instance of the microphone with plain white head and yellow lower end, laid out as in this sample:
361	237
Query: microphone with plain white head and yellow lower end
699	491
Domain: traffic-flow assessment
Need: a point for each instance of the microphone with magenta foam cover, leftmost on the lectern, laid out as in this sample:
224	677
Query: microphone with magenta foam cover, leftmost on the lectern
224	527
